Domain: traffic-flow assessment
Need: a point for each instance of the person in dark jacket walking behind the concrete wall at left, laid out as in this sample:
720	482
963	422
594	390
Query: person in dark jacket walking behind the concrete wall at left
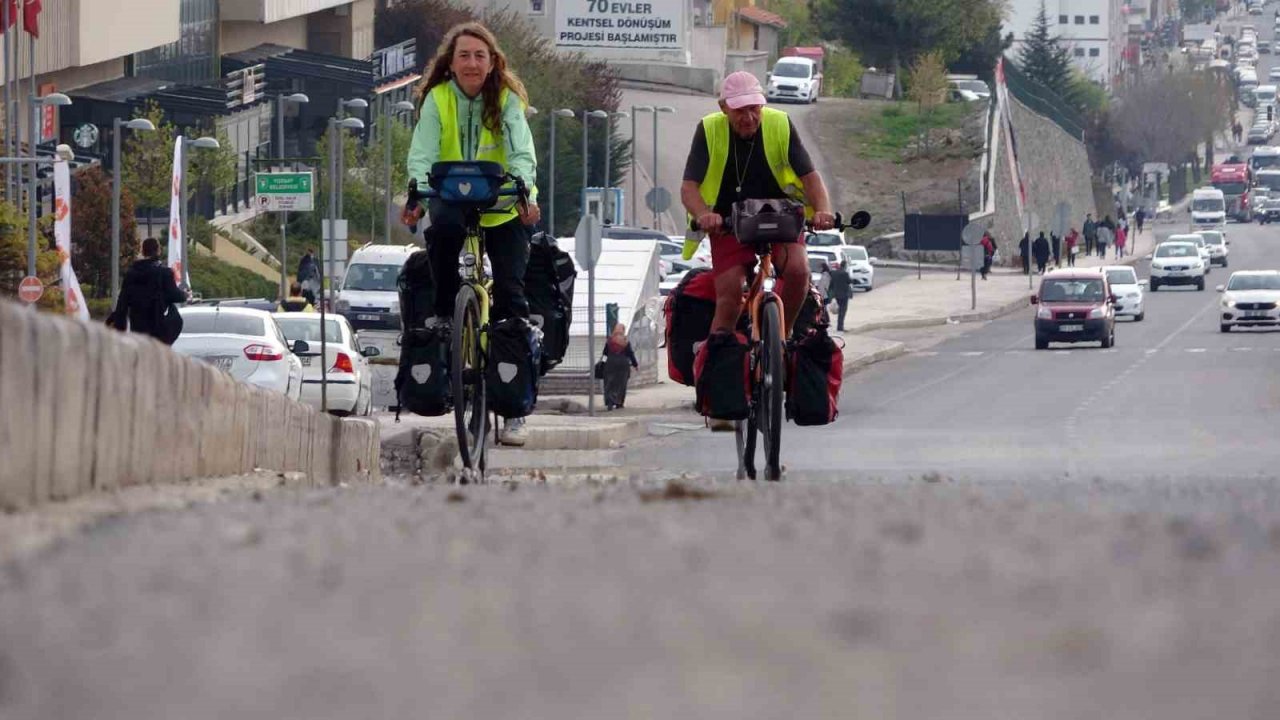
147	297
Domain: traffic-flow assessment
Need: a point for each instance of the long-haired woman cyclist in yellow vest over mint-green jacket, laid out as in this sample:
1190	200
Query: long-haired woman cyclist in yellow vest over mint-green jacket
472	107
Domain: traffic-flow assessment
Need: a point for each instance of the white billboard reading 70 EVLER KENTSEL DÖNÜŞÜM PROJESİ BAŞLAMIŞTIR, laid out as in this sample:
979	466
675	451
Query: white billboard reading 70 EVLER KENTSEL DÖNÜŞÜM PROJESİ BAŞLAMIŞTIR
621	25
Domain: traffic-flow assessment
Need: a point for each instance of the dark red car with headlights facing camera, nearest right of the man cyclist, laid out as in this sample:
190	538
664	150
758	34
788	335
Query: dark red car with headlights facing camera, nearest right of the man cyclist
1075	306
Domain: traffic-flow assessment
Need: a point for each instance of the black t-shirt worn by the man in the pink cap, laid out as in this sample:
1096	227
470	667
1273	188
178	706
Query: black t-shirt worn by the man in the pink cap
752	167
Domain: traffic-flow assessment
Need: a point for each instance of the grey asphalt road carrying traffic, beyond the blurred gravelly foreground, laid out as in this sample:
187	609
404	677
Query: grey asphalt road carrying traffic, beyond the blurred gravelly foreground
1176	400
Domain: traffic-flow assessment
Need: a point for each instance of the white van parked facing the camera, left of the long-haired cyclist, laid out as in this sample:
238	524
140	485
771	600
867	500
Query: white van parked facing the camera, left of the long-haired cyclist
369	297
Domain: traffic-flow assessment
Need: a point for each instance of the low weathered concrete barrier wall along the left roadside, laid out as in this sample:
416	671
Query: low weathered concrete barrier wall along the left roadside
84	408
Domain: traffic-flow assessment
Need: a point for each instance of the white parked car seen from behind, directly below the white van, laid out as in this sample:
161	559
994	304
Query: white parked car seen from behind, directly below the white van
350	380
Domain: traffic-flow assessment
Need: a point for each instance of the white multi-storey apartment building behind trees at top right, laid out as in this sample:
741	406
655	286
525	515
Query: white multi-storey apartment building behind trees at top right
1095	33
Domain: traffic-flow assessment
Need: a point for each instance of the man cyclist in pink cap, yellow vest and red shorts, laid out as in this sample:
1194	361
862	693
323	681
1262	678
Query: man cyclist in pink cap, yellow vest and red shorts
748	152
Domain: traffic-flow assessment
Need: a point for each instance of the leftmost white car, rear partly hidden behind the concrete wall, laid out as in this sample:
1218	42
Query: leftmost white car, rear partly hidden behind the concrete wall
244	343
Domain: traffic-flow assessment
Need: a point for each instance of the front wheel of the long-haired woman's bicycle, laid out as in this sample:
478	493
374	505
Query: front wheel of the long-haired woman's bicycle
468	376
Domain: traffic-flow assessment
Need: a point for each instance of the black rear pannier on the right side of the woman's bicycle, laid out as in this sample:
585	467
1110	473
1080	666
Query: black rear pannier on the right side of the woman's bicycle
550	280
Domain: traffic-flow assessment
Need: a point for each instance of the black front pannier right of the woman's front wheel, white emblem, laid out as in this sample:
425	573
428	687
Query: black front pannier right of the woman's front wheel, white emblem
511	376
